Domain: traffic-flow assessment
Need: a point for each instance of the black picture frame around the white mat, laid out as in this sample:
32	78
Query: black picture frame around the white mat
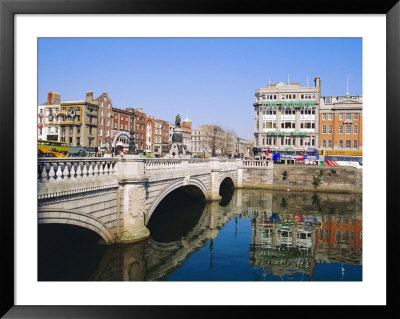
8	10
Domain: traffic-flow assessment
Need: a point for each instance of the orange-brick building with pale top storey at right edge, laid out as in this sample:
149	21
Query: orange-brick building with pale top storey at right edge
341	124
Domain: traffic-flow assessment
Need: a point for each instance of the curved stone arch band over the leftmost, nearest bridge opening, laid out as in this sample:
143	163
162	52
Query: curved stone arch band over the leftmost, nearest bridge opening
59	216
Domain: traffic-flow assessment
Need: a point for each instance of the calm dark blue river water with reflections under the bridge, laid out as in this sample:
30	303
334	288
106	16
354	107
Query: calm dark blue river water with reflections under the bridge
250	235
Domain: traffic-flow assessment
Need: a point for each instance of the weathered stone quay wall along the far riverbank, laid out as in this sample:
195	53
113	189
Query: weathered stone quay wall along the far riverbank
345	179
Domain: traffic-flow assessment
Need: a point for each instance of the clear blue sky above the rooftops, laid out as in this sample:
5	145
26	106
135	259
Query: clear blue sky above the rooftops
211	80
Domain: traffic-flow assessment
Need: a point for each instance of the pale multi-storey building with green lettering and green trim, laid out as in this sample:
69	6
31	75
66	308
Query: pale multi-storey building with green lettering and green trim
286	116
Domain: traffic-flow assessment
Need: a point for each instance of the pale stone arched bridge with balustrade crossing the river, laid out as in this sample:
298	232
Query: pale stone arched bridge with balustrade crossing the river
116	197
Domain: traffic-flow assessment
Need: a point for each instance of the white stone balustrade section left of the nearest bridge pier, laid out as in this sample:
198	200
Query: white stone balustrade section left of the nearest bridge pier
61	169
